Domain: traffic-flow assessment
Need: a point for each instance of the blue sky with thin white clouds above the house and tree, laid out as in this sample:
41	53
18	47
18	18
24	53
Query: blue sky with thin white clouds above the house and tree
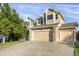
70	11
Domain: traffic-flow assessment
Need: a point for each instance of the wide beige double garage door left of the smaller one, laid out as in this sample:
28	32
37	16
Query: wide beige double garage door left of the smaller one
40	35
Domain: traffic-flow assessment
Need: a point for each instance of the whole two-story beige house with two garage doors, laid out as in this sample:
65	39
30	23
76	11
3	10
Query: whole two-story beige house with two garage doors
51	27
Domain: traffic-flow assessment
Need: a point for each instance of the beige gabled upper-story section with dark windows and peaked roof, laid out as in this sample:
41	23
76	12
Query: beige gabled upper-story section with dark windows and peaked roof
52	16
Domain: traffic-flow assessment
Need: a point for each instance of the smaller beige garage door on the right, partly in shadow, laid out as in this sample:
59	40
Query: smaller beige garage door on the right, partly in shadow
67	36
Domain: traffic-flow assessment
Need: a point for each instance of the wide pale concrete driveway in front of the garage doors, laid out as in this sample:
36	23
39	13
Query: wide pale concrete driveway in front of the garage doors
38	49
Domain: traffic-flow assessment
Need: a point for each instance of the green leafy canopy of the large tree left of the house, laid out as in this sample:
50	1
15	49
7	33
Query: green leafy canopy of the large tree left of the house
10	22
